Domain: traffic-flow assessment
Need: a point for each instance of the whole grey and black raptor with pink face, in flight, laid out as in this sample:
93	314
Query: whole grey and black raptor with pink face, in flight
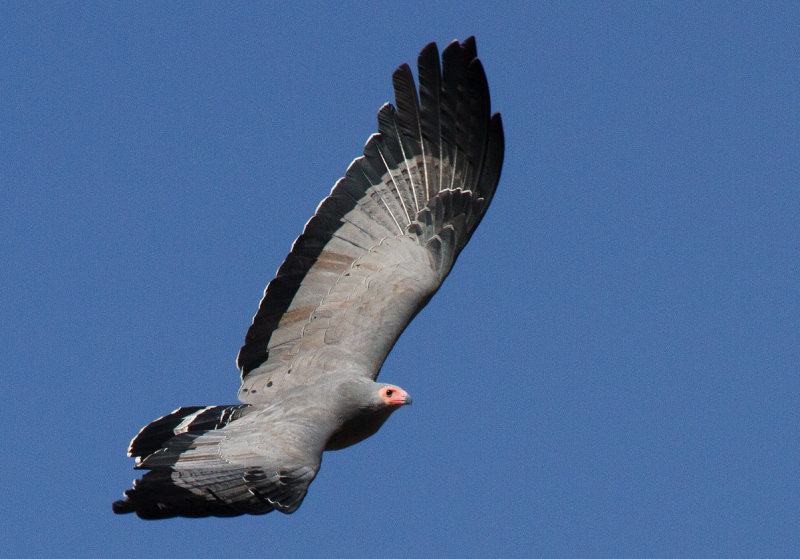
374	253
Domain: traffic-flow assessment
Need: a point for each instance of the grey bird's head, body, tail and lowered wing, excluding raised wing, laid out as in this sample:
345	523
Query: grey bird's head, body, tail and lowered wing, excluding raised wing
251	459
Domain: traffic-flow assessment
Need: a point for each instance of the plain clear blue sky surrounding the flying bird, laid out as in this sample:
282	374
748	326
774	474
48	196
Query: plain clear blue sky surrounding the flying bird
611	369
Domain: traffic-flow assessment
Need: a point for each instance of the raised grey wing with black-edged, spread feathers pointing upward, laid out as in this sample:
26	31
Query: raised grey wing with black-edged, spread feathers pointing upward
384	240
